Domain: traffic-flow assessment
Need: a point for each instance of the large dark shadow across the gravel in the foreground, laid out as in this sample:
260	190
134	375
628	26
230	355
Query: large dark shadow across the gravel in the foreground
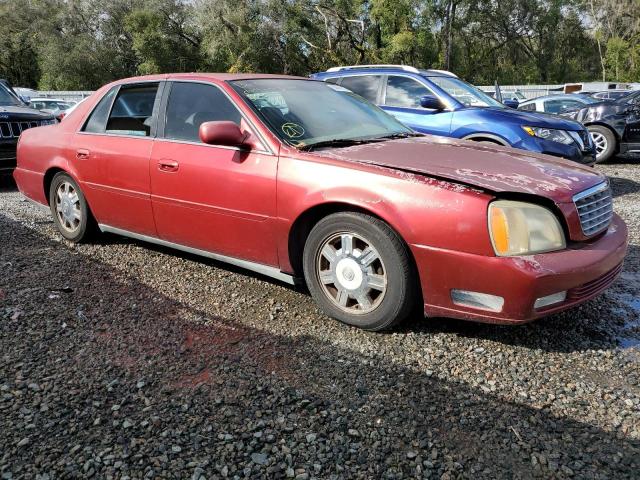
123	369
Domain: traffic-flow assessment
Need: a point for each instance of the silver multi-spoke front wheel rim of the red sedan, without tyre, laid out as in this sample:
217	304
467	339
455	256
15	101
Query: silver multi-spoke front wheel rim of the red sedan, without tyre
351	273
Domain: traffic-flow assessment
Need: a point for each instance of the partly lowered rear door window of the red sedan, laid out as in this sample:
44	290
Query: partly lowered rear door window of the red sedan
132	111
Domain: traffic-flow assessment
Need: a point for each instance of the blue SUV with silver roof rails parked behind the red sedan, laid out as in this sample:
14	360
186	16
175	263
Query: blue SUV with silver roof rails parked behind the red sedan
439	103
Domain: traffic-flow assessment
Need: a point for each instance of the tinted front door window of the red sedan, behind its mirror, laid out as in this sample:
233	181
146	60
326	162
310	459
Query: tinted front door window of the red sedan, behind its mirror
191	104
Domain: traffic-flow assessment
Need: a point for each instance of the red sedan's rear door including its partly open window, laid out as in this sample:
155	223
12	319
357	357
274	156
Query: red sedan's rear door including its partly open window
111	156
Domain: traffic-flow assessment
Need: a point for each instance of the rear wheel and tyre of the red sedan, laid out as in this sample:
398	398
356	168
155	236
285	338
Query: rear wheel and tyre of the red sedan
70	211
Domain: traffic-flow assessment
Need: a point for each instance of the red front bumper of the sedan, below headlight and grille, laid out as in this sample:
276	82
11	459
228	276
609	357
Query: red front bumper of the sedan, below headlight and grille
583	270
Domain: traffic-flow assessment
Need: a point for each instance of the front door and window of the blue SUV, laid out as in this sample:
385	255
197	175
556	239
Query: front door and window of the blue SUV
401	97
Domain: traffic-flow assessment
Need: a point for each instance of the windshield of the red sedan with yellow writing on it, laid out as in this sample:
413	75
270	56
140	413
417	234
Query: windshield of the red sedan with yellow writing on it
307	112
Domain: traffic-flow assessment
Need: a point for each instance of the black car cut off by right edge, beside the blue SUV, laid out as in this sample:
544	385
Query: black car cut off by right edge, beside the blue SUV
614	125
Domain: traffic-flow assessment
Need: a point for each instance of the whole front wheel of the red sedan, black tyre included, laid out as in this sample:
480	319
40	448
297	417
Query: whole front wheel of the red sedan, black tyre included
359	271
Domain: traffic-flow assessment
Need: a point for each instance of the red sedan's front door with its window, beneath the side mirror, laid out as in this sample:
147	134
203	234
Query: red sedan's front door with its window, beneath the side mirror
213	198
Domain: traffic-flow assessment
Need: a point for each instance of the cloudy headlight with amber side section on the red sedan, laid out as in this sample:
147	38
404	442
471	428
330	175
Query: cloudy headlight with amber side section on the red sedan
520	228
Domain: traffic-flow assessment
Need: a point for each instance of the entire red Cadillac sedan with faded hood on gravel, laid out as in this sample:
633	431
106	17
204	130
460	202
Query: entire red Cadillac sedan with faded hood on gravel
302	180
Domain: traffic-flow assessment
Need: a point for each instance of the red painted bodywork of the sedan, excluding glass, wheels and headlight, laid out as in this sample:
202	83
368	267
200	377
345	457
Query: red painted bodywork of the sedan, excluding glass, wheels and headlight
433	191
